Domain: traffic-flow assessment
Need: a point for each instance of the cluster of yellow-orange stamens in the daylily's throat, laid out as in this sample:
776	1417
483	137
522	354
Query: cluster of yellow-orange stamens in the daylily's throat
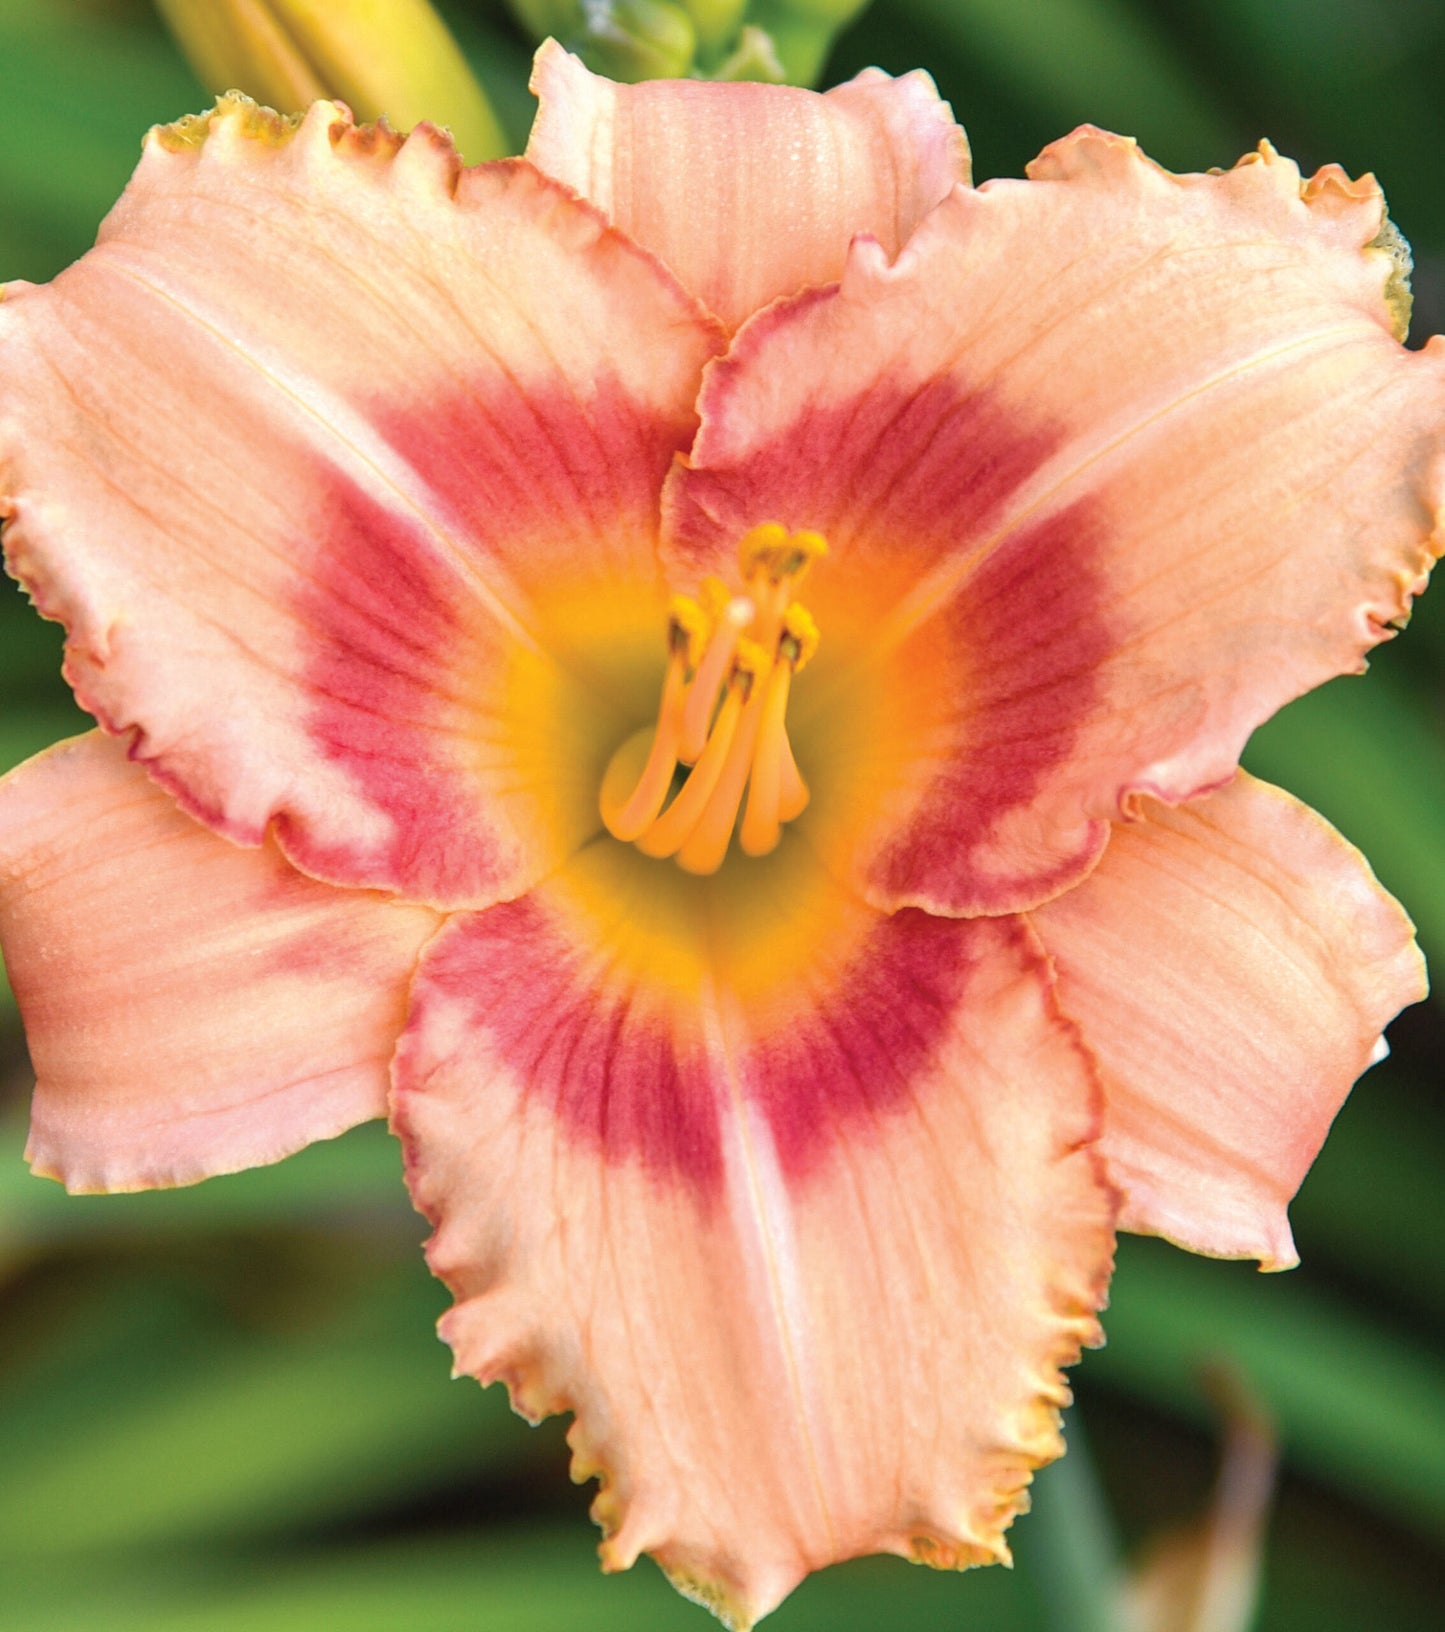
724	714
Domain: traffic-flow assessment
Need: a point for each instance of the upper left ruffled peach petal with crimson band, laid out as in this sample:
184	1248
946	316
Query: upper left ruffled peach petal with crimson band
300	455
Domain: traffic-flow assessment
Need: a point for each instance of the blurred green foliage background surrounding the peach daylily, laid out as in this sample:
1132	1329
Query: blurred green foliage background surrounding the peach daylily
225	1409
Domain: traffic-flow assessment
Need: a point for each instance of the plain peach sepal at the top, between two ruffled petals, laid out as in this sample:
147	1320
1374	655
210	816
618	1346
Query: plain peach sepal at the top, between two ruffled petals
749	192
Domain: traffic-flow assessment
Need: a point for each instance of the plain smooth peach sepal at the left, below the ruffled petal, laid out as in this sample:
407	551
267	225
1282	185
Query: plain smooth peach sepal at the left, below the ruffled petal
192	1008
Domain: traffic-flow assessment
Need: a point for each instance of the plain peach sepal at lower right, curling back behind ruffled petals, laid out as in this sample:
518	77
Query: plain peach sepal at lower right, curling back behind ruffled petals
1232	964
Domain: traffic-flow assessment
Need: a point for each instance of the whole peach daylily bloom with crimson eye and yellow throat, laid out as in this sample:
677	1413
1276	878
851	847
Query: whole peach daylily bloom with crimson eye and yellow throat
417	528
